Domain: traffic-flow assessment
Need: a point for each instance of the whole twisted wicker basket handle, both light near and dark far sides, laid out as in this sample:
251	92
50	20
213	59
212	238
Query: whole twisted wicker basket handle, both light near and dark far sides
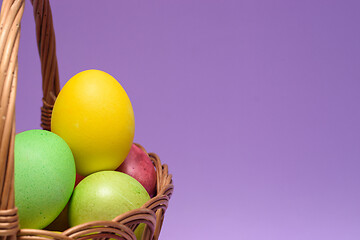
10	19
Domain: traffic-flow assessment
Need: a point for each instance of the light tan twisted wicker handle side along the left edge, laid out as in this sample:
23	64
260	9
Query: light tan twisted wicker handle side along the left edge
10	18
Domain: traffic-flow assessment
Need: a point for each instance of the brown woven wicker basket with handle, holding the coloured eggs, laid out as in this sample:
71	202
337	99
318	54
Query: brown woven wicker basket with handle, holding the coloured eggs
123	226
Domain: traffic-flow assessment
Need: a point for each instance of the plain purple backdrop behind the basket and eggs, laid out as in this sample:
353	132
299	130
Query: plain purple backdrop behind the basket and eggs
254	105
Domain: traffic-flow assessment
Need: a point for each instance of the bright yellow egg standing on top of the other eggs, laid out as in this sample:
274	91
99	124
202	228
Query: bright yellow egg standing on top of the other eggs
94	115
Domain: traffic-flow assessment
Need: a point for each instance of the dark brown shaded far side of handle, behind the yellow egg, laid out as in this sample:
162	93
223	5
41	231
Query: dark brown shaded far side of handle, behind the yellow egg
45	36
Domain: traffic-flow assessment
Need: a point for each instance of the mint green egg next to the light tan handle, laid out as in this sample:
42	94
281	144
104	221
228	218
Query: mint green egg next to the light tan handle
44	177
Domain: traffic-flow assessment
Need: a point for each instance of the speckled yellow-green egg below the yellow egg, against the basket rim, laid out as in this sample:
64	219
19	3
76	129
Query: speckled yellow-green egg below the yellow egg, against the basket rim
105	195
